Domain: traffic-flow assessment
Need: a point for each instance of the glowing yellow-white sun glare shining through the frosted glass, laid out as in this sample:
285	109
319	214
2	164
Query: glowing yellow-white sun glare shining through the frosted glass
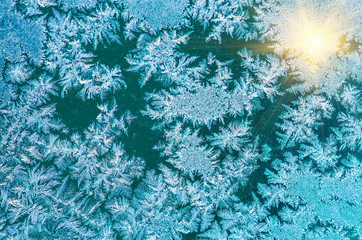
312	35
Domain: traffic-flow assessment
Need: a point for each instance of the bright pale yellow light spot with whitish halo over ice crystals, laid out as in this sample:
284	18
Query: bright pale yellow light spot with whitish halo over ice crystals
310	33
